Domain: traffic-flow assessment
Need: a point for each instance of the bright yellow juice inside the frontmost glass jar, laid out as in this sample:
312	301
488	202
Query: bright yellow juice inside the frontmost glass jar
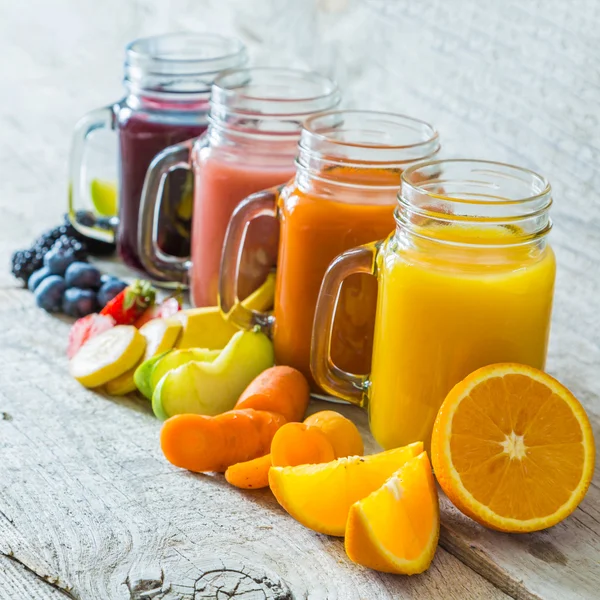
441	315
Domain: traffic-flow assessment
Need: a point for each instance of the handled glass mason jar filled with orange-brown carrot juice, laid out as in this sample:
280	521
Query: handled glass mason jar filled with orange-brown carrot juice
344	192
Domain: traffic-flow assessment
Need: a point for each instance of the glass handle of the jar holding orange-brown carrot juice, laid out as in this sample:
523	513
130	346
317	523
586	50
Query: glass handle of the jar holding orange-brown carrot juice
261	204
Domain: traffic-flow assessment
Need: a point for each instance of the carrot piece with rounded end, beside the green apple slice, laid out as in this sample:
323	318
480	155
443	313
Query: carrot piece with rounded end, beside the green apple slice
280	389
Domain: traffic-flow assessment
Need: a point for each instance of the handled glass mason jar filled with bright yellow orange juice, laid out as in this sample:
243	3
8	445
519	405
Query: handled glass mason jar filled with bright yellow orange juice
466	280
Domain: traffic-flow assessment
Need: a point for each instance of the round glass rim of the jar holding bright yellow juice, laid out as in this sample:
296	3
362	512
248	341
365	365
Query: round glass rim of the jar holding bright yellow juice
418	187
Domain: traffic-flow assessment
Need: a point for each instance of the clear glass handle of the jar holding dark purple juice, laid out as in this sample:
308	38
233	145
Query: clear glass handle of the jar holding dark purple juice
101	118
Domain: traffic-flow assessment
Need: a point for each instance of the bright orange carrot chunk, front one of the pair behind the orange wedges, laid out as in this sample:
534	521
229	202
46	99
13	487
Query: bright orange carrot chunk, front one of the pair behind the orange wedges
297	444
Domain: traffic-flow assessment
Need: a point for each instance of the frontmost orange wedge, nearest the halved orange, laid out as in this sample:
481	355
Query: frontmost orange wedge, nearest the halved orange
396	528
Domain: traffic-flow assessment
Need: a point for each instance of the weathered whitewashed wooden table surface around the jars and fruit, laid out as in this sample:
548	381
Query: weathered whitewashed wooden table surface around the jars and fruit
89	508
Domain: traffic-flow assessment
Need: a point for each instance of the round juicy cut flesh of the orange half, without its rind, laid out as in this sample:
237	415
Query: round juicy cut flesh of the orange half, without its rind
549	456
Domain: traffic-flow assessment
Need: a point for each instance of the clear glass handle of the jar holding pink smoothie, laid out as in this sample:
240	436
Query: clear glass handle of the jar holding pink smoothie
158	264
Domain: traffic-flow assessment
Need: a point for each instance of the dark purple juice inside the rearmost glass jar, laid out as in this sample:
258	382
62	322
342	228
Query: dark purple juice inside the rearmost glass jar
140	140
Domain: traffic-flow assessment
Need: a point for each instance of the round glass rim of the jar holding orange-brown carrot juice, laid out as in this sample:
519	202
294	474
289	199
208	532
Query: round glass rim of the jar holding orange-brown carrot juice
309	127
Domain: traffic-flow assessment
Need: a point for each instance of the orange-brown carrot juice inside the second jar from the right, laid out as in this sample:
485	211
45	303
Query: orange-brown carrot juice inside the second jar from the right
316	226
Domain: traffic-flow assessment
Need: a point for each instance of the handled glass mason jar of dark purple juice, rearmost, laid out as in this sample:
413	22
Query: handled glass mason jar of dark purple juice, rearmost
167	80
